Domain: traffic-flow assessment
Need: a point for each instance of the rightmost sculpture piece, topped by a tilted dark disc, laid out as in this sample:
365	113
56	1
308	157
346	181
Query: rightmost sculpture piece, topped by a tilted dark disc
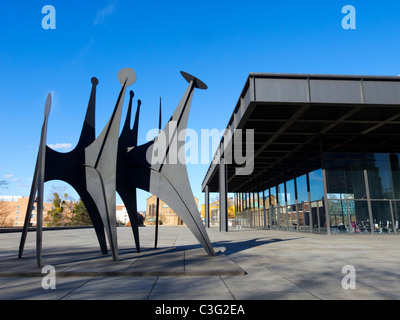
168	181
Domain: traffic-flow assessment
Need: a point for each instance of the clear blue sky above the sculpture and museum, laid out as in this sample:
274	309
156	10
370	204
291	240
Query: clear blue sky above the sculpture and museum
220	42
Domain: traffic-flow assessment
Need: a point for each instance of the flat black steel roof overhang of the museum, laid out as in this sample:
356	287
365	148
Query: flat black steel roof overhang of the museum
295	117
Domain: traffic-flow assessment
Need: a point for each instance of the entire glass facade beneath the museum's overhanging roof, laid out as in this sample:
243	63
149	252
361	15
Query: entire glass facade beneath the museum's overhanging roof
361	194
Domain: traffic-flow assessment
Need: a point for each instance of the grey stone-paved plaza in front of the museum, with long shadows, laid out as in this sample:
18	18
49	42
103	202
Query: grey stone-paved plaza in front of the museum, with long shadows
249	265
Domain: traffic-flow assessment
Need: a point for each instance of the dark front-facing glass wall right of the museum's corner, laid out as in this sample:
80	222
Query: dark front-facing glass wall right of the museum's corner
363	188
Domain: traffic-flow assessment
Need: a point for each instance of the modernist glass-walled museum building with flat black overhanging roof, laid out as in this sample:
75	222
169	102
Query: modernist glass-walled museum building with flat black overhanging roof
325	154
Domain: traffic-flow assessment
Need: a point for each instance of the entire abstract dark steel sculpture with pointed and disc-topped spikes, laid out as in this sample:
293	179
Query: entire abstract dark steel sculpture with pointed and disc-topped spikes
99	167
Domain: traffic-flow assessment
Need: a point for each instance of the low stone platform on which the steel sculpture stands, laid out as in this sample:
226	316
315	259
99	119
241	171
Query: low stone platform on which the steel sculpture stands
71	260
